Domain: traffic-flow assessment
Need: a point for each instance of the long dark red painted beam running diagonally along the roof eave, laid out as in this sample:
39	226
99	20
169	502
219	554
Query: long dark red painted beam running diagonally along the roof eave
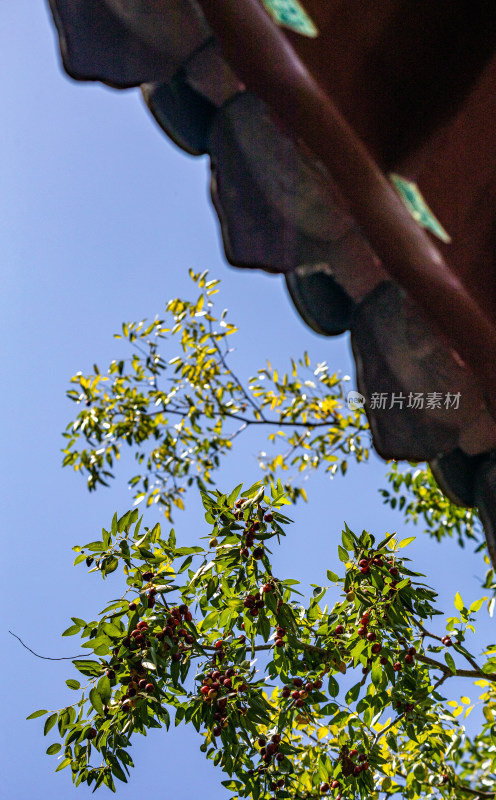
265	61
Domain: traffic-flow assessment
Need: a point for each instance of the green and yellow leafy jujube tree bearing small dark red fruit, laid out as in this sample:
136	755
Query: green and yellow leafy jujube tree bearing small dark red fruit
341	694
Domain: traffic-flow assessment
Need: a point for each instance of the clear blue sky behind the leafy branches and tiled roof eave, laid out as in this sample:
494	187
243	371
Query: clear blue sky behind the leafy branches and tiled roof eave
100	219
